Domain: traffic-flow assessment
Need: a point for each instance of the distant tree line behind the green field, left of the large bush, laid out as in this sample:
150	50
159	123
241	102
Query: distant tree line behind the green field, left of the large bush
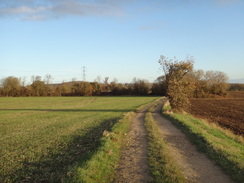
15	87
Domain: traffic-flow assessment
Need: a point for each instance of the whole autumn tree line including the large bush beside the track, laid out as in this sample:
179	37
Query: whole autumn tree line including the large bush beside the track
179	82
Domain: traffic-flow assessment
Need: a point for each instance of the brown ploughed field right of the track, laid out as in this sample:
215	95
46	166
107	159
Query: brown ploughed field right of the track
228	112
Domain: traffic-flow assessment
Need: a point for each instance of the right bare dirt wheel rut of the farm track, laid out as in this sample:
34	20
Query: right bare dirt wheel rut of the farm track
195	165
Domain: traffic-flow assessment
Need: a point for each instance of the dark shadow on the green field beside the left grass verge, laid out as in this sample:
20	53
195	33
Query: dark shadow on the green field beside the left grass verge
55	166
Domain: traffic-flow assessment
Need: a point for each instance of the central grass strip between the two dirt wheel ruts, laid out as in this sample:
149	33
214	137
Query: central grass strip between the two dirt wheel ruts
162	166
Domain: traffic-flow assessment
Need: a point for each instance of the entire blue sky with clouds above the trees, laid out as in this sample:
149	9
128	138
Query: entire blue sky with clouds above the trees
119	39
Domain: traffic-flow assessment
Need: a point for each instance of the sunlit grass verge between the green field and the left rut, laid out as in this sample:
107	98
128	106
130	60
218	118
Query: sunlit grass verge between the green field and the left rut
102	166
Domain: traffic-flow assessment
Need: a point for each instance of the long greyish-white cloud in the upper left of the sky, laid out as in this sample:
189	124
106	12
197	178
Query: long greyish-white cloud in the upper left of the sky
48	9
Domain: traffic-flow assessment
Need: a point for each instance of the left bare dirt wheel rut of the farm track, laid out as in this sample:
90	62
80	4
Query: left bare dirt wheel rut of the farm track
134	166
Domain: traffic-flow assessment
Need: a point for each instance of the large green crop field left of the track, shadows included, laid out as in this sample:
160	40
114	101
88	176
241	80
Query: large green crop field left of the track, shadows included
43	138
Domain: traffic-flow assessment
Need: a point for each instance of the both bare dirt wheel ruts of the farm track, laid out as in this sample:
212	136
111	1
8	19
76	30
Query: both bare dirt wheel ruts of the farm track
196	167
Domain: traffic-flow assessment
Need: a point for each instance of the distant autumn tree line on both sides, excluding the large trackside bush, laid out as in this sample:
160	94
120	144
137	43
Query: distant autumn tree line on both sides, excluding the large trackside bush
205	84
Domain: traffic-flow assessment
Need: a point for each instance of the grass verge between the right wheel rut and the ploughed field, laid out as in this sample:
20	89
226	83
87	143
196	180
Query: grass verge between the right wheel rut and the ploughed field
222	146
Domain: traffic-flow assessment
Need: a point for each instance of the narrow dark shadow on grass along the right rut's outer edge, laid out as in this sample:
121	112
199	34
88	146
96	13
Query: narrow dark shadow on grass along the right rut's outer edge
202	145
